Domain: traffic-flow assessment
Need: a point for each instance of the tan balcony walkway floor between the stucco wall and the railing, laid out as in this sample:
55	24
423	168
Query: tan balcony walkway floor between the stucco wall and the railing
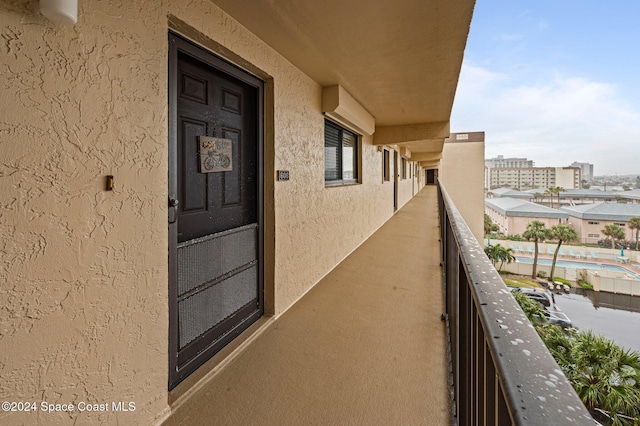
364	347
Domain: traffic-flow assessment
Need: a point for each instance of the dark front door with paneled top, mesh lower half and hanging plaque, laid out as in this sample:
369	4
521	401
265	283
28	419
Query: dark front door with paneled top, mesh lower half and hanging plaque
214	205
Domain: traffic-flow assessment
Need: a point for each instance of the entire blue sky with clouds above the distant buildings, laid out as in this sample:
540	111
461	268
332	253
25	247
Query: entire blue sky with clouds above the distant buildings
554	81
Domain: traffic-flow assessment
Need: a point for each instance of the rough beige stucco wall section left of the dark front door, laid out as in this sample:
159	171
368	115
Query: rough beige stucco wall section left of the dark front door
83	271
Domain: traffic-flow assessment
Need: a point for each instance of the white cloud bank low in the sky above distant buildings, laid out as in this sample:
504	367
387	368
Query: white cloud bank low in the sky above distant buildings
554	122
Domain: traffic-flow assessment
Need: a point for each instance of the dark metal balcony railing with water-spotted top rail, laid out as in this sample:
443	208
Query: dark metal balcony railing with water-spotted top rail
501	371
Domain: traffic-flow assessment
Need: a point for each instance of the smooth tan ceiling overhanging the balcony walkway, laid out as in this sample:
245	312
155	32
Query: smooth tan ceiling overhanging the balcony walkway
400	60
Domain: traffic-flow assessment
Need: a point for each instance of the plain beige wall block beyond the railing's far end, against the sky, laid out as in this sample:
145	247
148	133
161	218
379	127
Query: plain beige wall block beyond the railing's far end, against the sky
462	174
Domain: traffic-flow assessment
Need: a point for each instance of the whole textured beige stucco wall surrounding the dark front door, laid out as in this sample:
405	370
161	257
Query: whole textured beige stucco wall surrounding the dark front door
84	271
